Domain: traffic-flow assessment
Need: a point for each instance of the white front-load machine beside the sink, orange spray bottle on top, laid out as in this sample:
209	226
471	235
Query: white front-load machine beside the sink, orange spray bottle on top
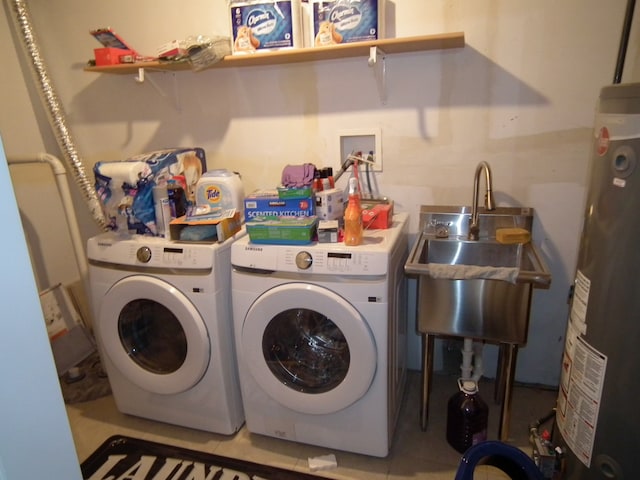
321	333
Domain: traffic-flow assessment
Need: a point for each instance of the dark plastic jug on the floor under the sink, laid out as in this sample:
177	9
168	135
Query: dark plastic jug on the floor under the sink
467	417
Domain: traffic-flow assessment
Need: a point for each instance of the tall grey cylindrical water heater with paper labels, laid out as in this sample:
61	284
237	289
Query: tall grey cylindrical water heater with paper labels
598	408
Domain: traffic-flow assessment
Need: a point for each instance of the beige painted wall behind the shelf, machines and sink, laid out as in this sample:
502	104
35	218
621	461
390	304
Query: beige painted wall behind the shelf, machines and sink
521	95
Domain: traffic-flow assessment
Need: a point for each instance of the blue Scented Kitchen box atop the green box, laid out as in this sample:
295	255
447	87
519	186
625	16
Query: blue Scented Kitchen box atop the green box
267	203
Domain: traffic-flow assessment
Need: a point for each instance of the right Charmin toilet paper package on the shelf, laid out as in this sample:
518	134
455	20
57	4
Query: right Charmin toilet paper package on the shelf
333	22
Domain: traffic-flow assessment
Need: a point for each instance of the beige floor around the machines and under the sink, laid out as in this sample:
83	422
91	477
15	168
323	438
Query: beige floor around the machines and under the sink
414	454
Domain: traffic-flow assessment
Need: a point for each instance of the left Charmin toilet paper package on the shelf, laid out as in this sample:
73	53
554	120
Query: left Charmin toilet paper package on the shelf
264	25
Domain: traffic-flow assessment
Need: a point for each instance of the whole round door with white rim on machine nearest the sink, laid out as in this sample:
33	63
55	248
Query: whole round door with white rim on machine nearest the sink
308	348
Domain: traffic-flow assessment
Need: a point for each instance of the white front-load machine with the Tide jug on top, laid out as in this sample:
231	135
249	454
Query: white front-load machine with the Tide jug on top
164	329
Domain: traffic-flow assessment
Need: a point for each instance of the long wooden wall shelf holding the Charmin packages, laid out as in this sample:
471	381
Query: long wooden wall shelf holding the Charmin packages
298	55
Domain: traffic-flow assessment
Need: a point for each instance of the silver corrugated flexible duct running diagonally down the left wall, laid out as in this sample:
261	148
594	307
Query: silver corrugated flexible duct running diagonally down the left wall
57	117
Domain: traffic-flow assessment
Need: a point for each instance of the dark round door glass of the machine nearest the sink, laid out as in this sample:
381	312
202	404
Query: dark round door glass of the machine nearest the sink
306	351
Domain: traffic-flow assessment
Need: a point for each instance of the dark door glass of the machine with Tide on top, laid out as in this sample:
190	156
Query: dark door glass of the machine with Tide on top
152	336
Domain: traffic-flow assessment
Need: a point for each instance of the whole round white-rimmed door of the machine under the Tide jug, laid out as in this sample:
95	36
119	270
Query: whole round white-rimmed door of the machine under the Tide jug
153	334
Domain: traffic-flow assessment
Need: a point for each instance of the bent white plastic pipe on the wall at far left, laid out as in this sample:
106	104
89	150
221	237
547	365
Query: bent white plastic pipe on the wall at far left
65	195
